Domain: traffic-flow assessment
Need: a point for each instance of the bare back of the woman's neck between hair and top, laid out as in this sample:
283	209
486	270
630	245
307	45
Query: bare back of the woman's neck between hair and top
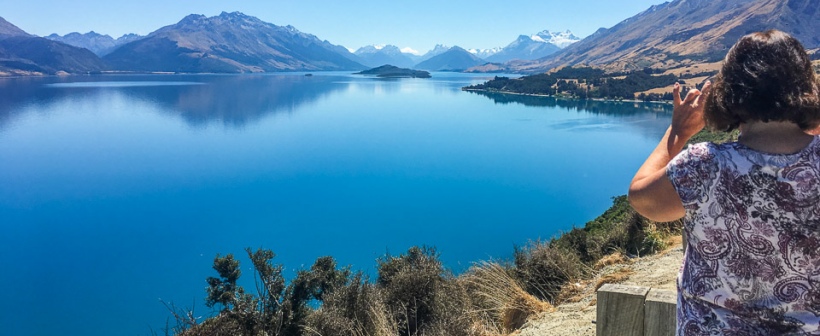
775	137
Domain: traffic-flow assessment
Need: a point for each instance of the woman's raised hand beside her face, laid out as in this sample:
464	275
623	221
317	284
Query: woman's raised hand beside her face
687	115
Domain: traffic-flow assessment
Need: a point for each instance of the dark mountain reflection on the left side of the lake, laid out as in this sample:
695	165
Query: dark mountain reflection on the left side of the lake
234	101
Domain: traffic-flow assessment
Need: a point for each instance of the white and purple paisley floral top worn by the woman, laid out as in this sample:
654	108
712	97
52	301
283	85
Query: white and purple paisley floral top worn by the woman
752	264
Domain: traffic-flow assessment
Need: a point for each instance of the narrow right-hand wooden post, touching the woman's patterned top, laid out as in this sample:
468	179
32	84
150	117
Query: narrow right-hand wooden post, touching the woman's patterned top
660	315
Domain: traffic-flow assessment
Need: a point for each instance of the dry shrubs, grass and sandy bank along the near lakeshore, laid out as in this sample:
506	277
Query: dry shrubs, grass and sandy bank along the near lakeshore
415	295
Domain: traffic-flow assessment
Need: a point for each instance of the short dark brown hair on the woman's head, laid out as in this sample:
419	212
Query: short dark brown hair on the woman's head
766	76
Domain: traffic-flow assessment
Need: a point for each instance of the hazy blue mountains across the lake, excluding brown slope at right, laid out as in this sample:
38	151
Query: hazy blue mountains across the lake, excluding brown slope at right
235	43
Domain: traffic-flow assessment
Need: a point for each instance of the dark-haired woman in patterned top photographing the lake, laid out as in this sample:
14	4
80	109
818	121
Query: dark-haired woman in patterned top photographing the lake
751	208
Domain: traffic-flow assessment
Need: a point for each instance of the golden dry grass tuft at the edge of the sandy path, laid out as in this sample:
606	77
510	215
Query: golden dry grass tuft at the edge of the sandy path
499	295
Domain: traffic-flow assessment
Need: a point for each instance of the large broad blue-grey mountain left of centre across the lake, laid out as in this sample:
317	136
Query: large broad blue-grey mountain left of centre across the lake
230	42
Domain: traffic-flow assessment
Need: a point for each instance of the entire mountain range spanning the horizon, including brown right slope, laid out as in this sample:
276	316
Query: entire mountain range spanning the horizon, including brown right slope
670	35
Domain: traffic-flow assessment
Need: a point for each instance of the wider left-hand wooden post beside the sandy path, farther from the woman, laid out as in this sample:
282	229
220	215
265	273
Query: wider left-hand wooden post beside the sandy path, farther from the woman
620	310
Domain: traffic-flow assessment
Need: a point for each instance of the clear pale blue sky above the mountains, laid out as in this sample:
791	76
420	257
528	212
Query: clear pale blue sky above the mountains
418	24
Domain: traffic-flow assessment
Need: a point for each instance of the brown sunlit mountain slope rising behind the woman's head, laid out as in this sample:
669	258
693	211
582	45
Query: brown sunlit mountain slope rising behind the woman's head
685	32
